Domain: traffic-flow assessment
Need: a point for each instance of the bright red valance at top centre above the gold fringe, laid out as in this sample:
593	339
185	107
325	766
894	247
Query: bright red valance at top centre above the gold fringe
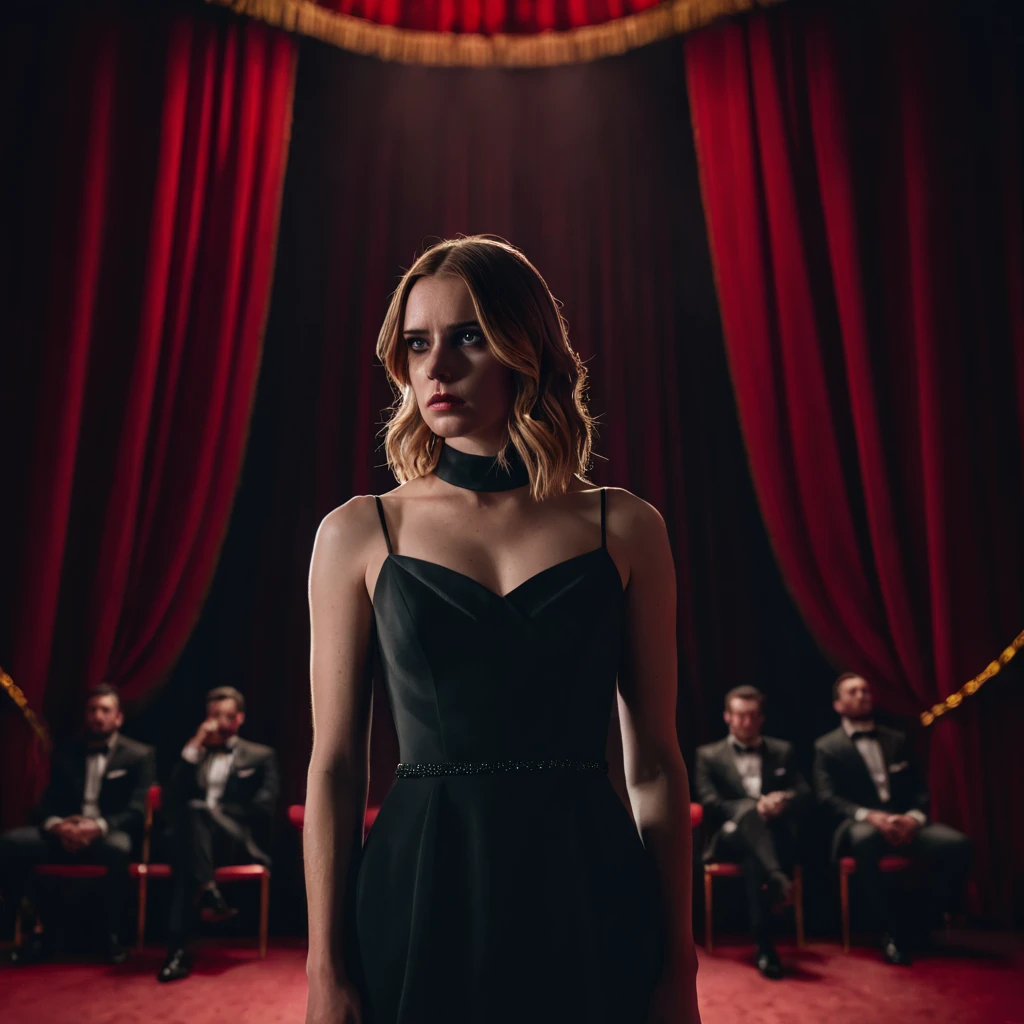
489	17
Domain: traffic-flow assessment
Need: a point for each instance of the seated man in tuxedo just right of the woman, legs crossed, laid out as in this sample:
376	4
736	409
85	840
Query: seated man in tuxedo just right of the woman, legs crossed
753	795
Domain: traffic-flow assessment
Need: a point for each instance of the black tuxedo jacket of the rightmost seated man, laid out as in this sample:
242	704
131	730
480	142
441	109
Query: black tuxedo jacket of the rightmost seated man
844	784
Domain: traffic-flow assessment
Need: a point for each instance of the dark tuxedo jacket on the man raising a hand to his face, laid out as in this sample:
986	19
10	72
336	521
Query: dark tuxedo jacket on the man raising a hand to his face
250	794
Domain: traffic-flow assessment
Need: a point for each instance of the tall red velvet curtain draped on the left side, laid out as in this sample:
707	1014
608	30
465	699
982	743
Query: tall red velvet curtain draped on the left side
143	185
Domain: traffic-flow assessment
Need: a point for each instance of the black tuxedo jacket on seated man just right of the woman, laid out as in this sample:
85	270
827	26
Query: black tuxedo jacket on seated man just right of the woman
720	789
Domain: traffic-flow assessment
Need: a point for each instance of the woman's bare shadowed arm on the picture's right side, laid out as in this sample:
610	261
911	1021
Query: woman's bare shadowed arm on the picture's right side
656	776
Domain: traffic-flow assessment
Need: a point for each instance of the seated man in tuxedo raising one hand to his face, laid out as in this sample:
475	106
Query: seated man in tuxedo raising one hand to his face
221	804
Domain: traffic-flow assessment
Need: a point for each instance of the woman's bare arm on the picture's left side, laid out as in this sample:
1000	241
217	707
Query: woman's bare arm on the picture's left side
340	617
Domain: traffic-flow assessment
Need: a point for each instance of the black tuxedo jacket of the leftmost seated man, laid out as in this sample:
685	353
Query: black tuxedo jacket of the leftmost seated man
132	770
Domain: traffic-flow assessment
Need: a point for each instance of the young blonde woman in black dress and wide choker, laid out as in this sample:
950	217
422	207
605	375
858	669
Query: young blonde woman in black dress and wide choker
503	598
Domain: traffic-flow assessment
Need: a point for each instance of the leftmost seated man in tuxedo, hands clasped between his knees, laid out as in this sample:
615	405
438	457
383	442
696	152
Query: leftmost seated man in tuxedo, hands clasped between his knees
92	814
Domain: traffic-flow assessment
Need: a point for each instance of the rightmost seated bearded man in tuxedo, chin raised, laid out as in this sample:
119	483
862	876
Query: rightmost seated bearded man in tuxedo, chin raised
867	777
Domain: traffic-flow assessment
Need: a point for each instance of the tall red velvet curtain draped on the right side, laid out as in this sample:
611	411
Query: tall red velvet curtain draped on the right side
863	186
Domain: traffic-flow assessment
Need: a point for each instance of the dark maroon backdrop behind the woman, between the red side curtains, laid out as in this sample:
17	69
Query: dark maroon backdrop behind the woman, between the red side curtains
591	172
